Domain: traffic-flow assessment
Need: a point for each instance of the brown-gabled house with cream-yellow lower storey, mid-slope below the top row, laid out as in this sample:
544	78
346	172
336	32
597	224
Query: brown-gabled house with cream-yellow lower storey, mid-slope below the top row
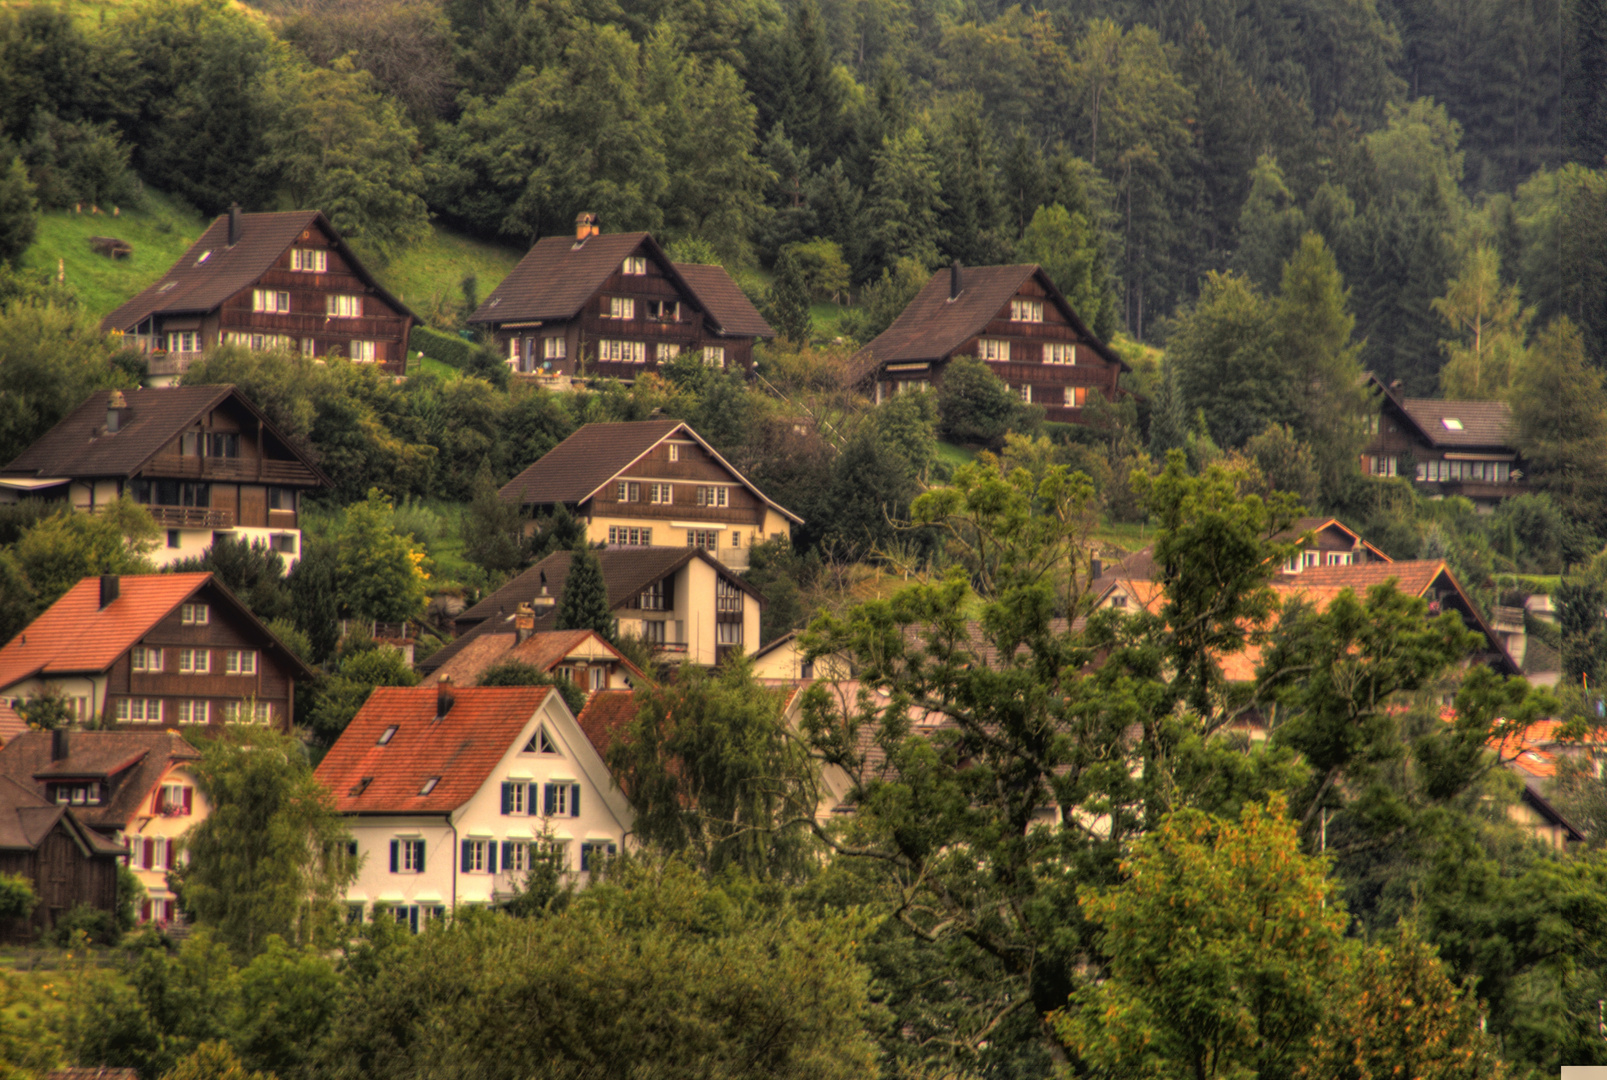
653	483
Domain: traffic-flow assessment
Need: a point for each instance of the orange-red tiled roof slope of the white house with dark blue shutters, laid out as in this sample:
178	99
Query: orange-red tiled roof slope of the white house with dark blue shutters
460	748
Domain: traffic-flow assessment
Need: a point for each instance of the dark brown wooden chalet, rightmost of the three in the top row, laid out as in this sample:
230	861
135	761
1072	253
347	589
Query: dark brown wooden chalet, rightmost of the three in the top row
1010	317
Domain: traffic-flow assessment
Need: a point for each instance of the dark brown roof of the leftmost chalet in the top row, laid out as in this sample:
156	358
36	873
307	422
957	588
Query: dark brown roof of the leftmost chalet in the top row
192	285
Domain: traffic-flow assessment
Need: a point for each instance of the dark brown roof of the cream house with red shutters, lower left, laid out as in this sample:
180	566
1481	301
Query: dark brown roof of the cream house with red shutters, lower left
133	761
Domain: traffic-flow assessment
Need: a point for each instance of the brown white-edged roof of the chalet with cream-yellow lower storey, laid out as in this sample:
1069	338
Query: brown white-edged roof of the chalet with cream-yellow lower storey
584	464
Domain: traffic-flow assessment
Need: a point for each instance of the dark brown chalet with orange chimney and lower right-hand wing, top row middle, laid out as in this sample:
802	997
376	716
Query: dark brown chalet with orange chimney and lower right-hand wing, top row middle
616	306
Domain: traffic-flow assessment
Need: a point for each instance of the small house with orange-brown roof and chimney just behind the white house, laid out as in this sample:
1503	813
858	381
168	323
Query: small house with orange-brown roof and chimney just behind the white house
581	657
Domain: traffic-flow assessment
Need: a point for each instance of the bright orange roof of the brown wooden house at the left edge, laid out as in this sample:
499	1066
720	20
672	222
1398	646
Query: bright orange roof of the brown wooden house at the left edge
78	636
